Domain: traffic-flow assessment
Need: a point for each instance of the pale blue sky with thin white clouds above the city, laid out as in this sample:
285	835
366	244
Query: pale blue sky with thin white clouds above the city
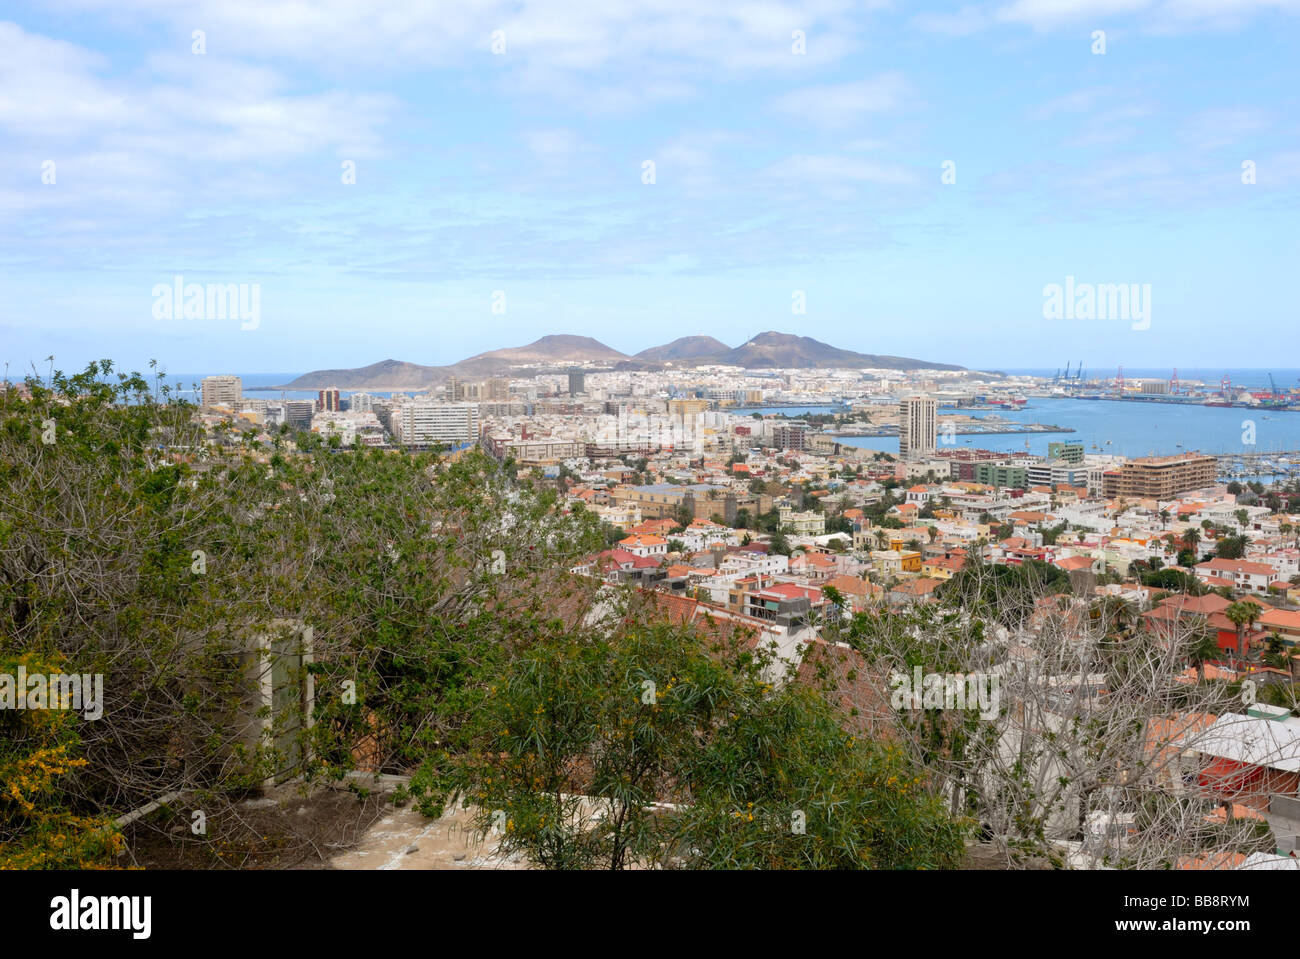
427	181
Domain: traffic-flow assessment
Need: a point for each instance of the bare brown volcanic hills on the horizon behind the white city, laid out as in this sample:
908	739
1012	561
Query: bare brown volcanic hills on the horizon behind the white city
765	352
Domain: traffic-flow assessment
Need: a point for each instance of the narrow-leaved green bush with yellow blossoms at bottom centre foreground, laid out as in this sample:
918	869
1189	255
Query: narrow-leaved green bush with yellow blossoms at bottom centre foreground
583	737
